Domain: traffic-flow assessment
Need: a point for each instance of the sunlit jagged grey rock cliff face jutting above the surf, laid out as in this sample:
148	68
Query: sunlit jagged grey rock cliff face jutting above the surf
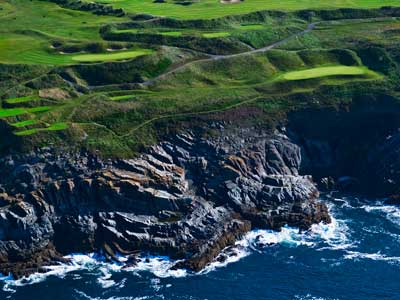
187	197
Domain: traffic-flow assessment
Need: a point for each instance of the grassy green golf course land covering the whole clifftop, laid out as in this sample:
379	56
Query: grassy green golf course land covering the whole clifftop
78	75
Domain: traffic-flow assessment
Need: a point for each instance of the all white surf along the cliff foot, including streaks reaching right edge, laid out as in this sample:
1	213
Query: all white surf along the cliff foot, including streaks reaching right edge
335	236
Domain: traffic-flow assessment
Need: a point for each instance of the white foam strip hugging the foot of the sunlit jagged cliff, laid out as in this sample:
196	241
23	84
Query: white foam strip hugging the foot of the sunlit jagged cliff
320	236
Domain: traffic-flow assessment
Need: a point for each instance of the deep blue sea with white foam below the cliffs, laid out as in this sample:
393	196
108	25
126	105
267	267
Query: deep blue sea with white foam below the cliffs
356	257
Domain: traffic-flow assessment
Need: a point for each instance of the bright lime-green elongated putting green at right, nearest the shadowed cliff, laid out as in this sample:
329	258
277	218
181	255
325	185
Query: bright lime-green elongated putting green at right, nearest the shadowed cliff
325	72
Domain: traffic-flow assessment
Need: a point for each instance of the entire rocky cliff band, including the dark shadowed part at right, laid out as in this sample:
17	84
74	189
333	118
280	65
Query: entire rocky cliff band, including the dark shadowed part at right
193	194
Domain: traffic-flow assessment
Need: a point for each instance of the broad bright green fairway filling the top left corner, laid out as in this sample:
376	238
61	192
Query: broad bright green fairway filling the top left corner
27	29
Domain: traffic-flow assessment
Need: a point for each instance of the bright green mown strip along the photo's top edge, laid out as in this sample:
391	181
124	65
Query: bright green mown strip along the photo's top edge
208	9
